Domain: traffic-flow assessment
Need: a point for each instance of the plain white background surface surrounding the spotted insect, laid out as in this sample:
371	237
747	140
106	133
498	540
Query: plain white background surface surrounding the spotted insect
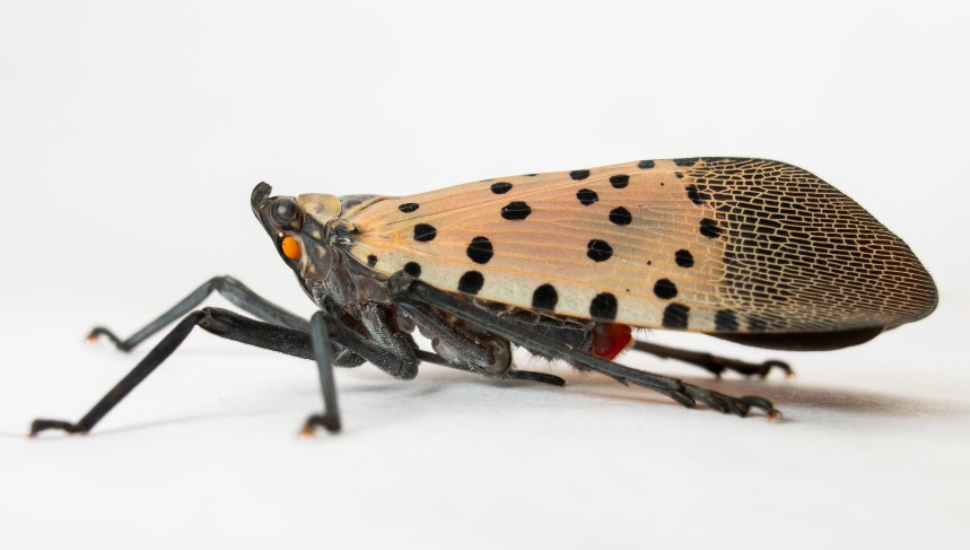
131	138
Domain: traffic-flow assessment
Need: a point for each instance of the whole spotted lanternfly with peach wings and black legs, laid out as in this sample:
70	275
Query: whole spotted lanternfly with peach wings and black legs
564	264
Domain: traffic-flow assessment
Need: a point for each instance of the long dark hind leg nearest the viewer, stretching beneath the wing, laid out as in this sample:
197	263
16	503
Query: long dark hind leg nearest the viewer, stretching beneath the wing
406	290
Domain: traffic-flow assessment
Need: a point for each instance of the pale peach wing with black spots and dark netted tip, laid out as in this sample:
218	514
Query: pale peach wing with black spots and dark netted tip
700	244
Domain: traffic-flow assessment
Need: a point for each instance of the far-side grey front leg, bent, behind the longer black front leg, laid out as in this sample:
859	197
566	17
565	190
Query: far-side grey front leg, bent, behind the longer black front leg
233	290
